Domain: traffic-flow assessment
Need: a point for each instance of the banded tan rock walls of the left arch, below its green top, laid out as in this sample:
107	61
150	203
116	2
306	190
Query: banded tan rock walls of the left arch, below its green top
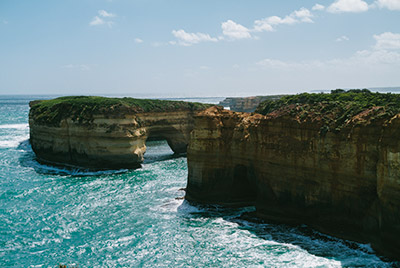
109	141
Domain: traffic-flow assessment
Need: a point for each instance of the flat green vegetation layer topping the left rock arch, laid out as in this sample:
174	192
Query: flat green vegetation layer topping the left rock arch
82	108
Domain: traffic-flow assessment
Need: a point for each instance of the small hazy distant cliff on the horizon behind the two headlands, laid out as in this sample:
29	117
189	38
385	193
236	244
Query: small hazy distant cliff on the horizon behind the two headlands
246	104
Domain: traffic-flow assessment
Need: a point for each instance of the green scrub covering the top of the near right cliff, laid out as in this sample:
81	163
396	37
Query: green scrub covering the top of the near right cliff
336	109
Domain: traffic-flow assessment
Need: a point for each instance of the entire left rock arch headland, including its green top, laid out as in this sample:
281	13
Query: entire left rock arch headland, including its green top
104	133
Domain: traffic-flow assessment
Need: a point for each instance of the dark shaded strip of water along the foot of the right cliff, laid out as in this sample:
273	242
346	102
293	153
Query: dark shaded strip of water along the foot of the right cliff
285	237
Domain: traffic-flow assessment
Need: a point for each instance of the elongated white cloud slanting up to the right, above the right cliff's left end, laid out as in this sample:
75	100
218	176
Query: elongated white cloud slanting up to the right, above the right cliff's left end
267	24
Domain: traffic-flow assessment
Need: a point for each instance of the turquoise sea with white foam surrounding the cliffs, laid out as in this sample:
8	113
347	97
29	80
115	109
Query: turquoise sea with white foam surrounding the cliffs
135	218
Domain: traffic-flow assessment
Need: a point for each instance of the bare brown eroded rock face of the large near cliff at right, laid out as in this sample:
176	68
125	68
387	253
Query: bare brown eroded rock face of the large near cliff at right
344	182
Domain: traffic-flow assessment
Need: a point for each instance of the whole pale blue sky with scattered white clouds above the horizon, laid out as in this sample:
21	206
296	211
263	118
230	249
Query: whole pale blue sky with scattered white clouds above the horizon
182	48
